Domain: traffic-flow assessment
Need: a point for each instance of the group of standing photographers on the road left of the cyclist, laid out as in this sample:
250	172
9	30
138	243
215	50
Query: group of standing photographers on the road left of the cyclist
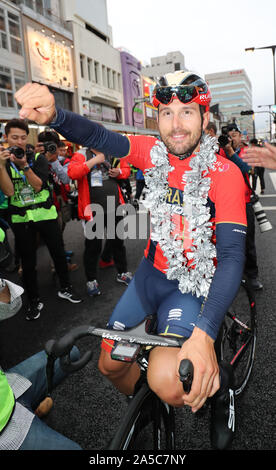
42	188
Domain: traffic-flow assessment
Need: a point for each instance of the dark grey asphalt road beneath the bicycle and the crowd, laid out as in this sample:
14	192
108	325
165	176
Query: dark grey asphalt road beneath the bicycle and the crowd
86	407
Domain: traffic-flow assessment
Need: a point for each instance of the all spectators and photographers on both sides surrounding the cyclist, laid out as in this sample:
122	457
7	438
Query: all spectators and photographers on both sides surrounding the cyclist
42	188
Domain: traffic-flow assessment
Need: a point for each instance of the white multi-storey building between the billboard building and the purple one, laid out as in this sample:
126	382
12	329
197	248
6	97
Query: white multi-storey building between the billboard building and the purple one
98	63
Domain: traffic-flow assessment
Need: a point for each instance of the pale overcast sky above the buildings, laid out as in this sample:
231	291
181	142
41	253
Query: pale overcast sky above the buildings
212	36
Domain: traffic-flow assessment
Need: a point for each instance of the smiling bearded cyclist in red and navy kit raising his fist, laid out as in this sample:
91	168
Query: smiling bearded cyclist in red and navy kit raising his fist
191	273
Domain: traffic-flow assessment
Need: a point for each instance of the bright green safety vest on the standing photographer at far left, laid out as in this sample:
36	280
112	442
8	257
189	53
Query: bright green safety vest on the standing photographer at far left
41	208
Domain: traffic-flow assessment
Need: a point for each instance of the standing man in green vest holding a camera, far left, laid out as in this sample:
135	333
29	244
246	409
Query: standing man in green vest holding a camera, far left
24	178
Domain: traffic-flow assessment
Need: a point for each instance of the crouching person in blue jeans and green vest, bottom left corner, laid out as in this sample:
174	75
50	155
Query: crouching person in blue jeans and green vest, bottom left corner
22	388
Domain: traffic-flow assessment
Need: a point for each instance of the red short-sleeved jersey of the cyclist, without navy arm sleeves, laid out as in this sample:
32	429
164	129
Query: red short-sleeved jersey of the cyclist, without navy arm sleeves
226	196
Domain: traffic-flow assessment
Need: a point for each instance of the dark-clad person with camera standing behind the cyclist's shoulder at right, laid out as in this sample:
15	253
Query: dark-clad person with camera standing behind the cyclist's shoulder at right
231	142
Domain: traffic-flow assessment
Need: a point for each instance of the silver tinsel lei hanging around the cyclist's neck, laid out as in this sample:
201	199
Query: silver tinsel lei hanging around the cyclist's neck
198	276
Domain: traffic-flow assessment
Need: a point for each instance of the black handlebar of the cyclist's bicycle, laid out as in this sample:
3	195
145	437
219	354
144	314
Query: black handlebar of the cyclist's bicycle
62	347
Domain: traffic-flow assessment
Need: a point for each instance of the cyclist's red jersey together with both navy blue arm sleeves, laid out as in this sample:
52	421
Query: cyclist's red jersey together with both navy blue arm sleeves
226	199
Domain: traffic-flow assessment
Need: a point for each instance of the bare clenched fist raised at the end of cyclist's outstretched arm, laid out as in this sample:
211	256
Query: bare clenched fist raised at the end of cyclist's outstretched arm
37	103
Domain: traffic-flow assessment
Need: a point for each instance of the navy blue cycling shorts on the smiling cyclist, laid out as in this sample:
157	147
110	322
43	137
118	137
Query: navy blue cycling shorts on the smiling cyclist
150	293
